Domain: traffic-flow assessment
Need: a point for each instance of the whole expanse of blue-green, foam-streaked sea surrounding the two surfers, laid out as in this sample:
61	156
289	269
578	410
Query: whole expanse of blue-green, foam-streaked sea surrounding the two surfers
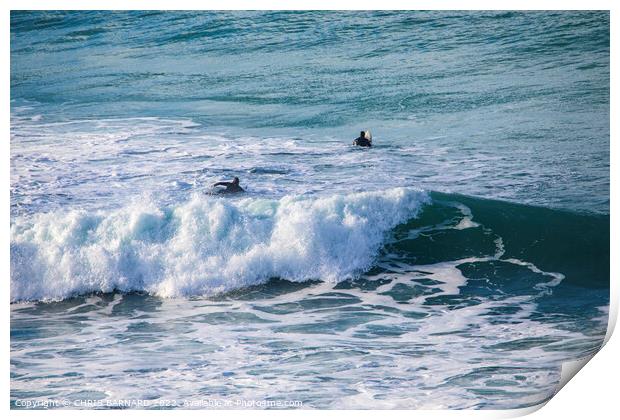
456	264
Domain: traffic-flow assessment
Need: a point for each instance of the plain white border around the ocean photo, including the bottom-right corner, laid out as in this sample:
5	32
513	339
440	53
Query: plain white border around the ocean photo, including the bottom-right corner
592	394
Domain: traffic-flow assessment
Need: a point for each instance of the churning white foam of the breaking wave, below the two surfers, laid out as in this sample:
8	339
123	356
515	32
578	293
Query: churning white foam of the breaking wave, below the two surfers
204	246
